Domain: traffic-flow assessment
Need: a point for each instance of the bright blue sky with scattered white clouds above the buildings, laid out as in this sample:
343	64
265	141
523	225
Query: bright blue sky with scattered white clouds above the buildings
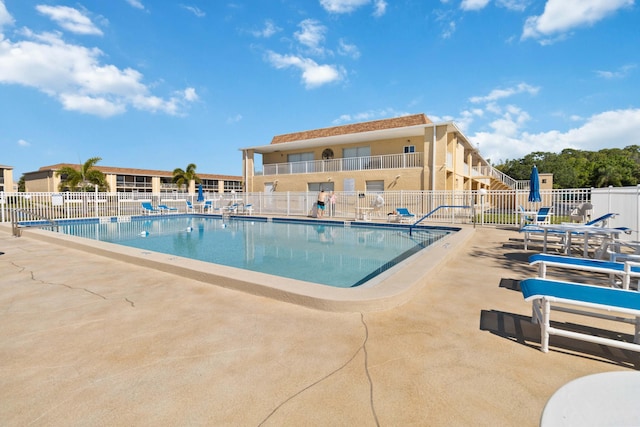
158	84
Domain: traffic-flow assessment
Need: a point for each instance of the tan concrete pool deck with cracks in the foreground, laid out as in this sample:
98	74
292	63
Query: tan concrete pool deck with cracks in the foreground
89	340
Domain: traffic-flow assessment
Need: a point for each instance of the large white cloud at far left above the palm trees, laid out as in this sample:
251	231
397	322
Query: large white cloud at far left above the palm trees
75	76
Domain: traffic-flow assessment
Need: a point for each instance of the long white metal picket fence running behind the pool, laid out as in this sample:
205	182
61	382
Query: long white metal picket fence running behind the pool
494	207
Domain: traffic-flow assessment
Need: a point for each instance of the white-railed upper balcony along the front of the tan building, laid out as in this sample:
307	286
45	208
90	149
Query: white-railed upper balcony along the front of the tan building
390	161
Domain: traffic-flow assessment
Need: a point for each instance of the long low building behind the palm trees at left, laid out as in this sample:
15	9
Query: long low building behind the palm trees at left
123	180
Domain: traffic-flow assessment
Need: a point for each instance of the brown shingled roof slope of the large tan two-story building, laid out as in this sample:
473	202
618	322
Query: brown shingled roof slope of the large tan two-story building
376	125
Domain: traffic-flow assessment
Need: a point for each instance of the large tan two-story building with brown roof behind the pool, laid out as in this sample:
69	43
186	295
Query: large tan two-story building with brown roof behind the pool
403	153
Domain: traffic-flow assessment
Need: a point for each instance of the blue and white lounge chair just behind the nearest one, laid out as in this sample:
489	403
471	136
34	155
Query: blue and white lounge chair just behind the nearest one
626	270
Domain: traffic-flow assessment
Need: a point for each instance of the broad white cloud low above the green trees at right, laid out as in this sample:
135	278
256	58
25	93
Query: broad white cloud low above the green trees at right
610	127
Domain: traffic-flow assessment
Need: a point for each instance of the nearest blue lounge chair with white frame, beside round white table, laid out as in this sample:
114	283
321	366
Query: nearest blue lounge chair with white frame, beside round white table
584	300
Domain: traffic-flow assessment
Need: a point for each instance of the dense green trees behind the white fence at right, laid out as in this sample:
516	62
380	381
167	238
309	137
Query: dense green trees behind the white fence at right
617	167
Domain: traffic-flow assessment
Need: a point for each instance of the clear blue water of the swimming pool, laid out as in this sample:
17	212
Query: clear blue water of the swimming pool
321	253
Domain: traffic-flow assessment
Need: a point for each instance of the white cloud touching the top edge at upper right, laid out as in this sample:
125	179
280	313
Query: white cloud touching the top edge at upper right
561	16
